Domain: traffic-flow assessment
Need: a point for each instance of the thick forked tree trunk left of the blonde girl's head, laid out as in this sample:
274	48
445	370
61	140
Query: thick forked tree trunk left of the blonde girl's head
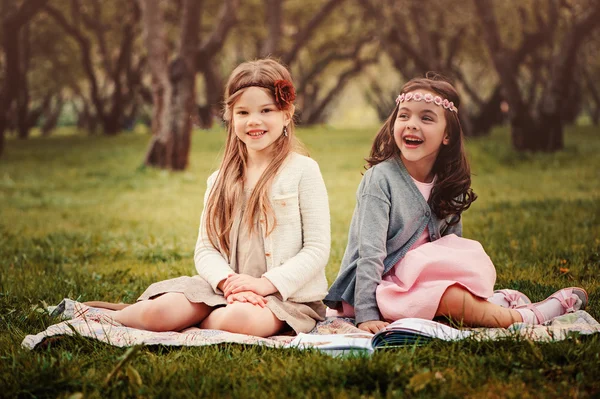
173	83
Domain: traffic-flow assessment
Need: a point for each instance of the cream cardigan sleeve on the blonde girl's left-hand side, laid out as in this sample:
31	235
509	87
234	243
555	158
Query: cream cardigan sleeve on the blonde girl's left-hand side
210	263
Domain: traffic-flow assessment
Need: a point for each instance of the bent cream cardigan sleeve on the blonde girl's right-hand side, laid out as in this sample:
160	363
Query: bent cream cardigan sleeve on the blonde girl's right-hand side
297	271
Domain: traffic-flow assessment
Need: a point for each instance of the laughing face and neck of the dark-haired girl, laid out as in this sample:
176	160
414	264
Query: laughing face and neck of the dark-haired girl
419	132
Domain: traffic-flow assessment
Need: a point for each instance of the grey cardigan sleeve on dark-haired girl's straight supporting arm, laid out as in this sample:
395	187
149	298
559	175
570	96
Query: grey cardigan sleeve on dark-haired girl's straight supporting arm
373	220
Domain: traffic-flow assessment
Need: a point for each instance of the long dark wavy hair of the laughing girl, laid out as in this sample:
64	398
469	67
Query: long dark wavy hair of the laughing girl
451	193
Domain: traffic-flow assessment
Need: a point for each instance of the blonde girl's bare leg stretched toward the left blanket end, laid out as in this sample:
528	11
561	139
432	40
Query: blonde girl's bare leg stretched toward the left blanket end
169	312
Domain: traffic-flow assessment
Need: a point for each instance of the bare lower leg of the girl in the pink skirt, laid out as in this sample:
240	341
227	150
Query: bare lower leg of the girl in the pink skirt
460	305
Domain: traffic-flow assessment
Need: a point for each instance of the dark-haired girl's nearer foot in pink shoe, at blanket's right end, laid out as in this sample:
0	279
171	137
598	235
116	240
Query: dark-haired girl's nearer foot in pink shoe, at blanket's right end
567	300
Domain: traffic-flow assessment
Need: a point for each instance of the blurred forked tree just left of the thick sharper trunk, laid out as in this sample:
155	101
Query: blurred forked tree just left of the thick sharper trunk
113	77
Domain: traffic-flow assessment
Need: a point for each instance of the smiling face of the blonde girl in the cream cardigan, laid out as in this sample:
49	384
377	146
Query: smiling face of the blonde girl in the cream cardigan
257	121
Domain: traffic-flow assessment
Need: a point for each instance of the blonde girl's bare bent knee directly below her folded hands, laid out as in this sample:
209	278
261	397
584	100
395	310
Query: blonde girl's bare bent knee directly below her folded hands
244	318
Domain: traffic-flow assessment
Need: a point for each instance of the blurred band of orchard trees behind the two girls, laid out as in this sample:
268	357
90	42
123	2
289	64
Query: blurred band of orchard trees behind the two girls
111	66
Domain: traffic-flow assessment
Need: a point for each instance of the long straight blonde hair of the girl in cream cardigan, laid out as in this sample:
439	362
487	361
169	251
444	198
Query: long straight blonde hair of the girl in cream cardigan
227	191
